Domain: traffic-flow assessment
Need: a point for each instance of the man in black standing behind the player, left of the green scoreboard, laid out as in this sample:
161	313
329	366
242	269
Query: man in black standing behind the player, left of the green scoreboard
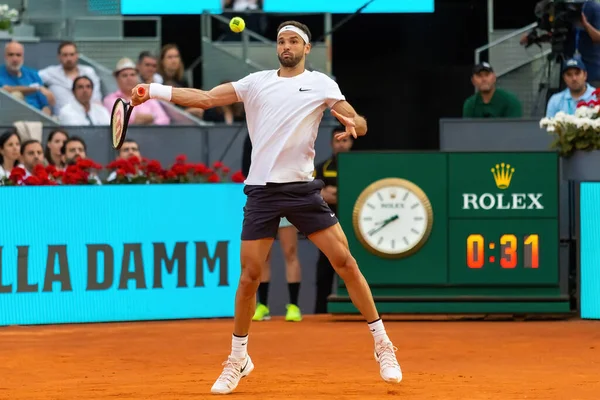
327	172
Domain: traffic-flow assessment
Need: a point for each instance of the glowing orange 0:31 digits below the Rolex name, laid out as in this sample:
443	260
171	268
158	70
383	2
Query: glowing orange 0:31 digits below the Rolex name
478	251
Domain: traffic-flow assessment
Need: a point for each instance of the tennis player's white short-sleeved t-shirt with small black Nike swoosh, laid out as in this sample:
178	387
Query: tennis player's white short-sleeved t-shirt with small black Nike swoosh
283	116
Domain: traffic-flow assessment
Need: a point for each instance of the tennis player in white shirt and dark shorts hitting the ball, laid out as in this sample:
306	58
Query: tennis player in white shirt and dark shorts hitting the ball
283	109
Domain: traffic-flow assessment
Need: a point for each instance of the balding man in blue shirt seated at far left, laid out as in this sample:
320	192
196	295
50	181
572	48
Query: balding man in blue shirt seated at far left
22	81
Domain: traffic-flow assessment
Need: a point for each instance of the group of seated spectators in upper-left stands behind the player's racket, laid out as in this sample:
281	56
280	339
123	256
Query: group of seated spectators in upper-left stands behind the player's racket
71	92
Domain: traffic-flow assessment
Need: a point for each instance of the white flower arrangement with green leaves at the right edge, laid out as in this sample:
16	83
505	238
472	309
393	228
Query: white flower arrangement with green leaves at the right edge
578	132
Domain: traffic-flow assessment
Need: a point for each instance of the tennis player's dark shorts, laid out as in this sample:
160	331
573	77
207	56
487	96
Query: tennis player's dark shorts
300	202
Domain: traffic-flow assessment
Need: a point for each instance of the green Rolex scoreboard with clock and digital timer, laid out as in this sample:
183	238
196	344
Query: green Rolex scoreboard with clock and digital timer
453	232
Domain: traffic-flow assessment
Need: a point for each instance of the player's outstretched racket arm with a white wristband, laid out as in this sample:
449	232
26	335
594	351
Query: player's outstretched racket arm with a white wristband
218	96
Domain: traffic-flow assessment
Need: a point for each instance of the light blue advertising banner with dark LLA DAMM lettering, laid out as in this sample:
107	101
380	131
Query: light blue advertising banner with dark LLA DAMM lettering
119	253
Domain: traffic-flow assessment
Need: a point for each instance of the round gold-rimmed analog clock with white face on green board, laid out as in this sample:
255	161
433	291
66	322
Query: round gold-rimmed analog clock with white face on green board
392	218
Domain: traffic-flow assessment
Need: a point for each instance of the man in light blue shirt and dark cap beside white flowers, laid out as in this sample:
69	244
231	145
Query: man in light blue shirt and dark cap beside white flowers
575	76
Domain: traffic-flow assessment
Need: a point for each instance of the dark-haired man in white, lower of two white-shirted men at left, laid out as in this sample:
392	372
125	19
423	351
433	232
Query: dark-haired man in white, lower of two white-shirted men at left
81	110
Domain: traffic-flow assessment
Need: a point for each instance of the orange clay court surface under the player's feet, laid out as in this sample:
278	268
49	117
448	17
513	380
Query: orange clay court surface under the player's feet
318	358
